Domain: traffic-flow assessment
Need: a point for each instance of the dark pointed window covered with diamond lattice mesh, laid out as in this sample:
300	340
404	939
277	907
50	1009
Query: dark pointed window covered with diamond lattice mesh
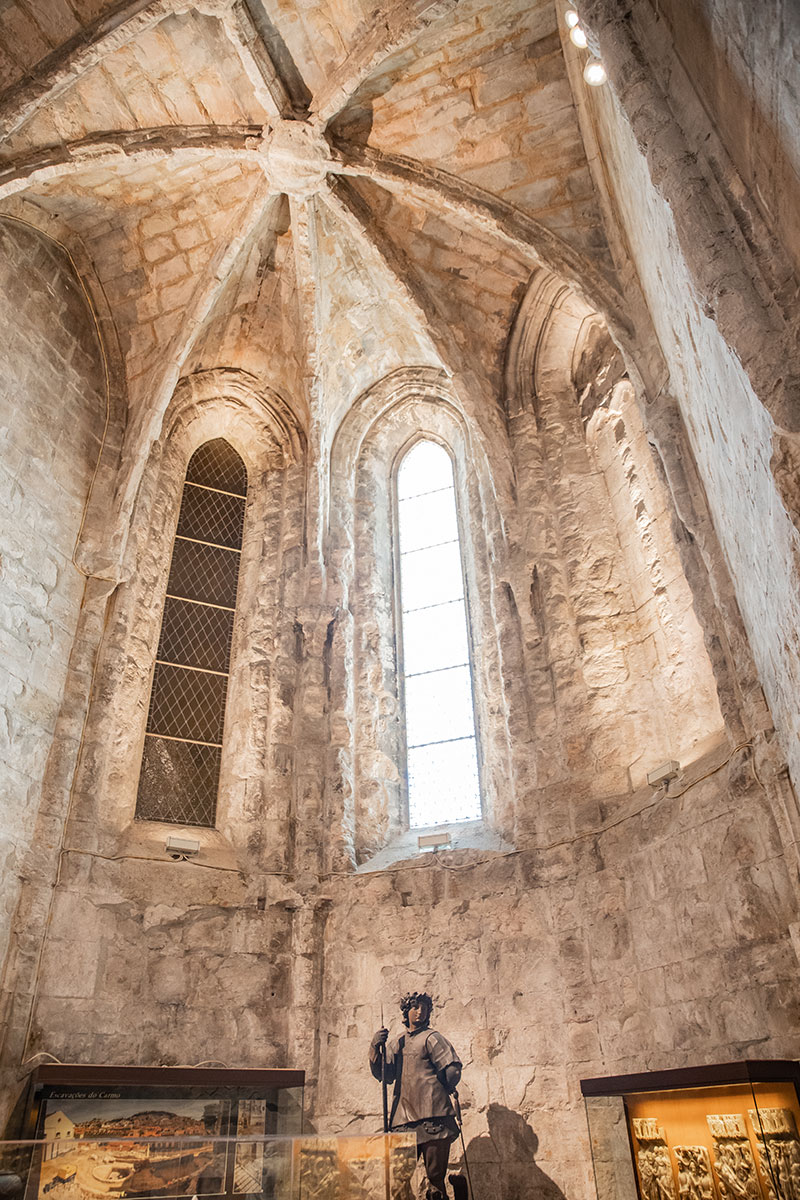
183	746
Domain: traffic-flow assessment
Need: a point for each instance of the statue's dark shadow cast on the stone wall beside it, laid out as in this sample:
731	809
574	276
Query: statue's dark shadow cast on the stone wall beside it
503	1165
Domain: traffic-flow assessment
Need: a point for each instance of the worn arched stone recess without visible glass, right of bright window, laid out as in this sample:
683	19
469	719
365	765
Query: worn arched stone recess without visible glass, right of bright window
630	652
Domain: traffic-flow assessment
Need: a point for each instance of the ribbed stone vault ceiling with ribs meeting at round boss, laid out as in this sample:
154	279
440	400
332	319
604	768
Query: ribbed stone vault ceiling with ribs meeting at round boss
256	184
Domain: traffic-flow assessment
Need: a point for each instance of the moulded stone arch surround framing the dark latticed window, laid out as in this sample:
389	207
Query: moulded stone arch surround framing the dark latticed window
260	427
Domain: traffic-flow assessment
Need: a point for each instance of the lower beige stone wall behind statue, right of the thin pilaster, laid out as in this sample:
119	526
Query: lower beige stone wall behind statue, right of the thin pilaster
654	937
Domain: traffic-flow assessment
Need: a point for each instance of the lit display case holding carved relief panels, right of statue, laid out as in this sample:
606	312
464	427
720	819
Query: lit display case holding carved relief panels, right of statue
725	1132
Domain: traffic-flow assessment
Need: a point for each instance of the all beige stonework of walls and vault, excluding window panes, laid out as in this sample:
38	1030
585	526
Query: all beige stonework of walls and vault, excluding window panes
323	231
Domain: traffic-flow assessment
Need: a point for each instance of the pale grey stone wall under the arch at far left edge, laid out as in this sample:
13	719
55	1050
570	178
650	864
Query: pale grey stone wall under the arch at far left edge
52	415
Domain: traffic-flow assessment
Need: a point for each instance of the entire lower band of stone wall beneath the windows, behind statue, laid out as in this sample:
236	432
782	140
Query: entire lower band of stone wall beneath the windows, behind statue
605	953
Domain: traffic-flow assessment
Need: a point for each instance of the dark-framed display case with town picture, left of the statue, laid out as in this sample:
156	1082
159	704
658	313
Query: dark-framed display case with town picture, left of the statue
165	1132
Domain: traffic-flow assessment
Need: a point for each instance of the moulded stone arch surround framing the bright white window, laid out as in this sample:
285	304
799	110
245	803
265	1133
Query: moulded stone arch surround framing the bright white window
383	425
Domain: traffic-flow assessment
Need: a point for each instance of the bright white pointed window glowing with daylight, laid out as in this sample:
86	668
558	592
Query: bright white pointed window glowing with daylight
442	751
